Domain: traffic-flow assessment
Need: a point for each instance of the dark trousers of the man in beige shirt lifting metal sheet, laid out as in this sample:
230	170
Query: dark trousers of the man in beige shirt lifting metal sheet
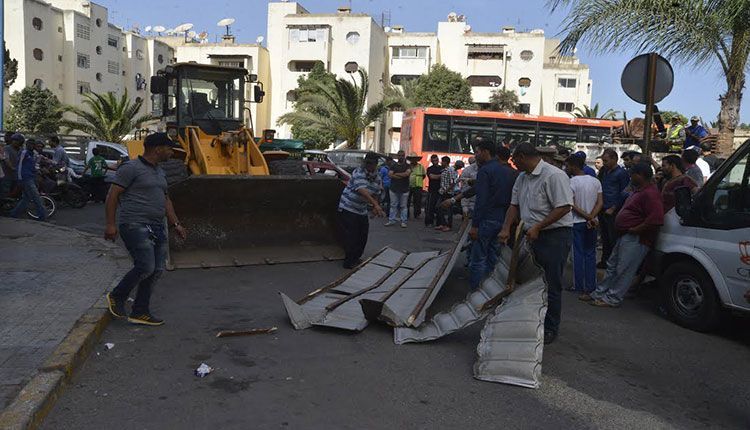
551	251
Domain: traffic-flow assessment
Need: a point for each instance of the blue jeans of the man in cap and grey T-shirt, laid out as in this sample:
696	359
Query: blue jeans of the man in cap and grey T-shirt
147	245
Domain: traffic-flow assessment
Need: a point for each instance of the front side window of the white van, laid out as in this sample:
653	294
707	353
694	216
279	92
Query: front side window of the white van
729	203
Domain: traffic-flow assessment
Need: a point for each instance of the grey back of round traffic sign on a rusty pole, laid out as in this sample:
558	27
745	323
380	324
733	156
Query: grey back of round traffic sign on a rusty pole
634	78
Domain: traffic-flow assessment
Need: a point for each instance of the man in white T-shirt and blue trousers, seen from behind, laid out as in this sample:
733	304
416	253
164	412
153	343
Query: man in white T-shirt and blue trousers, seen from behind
587	203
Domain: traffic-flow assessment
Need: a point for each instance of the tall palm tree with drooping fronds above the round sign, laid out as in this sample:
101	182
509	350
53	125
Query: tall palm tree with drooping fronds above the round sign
694	32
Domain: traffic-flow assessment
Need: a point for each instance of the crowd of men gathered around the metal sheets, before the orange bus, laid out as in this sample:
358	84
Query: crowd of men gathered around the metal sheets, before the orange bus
562	204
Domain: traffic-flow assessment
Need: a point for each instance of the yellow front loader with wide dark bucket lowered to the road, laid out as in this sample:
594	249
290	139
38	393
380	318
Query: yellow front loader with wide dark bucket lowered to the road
235	212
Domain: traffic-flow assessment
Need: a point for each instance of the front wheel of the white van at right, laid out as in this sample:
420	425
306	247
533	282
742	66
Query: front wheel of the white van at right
690	297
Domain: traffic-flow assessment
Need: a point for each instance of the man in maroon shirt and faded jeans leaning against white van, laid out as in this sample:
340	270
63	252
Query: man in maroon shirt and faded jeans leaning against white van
638	224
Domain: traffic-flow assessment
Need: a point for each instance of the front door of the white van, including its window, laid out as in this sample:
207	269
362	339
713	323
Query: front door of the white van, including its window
724	230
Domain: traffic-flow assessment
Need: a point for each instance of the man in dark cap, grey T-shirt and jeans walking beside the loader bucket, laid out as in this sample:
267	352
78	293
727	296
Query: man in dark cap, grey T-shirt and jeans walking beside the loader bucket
140	189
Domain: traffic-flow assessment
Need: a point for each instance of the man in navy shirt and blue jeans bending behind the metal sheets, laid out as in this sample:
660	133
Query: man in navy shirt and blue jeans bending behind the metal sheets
494	186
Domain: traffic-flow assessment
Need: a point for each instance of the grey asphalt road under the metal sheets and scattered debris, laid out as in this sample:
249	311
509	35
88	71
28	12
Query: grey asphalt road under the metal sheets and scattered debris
610	368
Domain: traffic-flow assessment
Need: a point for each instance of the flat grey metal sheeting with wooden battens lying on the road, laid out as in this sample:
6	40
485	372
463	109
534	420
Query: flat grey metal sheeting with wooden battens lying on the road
392	286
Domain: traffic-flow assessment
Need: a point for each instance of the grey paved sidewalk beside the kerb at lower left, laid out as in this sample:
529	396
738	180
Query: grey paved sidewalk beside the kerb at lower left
49	277
